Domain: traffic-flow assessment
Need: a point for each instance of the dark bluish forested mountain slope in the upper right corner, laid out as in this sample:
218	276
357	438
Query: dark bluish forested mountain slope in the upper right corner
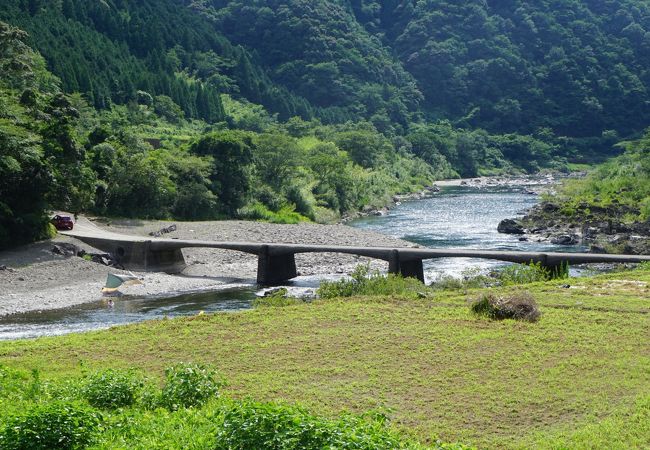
576	67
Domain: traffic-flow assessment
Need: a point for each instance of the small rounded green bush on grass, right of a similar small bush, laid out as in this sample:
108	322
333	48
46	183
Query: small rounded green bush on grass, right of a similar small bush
189	385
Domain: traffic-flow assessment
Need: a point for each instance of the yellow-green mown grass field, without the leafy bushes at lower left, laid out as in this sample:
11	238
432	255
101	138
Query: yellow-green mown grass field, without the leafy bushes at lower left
578	378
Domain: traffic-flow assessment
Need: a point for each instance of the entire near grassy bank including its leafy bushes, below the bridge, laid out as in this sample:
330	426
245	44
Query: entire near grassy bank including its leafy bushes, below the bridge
401	366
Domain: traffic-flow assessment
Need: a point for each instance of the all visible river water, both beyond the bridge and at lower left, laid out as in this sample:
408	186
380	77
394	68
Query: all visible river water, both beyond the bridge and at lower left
463	217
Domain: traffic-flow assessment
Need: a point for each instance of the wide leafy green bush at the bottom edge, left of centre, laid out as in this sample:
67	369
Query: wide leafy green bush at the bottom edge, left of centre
250	425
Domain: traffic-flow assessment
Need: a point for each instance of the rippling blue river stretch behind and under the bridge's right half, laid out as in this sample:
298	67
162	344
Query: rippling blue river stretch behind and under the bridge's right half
461	217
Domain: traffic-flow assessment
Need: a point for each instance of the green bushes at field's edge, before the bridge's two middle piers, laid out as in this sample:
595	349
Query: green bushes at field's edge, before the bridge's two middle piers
363	282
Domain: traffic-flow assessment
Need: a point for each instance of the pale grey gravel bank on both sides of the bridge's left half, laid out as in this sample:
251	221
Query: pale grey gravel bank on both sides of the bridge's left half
37	279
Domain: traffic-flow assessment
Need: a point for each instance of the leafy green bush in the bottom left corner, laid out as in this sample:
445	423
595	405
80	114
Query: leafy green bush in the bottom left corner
50	426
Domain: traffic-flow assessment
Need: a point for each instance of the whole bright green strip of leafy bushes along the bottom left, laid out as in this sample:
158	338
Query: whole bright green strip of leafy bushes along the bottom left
34	420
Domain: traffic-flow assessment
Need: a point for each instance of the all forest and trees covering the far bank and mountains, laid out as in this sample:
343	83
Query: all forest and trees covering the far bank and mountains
201	110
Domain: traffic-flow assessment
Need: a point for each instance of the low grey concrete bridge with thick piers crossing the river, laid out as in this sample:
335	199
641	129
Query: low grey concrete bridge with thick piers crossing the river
276	262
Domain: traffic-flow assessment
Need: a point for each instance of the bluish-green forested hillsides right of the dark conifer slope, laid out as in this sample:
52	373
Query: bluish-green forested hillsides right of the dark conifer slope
573	68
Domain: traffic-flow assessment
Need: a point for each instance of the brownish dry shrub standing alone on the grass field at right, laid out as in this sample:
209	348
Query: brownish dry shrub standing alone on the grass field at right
518	306
